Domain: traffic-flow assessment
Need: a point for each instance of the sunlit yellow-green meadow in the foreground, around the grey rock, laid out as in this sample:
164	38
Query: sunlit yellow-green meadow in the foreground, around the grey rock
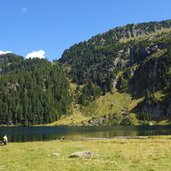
151	153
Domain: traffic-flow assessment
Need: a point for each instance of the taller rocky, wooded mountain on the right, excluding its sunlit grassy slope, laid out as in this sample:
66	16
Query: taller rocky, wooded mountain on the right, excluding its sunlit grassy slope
134	59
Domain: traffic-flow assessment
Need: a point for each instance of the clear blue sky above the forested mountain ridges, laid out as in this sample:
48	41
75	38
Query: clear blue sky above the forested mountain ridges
55	25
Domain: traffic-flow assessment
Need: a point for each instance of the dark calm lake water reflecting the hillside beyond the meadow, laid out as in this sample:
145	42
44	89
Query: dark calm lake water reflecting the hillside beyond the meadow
24	134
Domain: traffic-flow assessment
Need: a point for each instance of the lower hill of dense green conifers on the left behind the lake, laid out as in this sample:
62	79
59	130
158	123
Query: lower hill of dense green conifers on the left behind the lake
32	91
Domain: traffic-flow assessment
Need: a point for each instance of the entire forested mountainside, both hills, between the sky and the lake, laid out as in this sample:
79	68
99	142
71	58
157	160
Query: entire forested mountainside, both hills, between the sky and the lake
114	78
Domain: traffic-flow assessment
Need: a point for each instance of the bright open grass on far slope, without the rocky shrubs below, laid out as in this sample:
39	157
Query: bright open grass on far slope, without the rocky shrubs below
104	105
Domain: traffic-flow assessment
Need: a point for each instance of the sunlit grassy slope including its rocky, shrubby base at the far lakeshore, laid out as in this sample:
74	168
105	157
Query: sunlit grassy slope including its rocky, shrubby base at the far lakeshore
113	109
